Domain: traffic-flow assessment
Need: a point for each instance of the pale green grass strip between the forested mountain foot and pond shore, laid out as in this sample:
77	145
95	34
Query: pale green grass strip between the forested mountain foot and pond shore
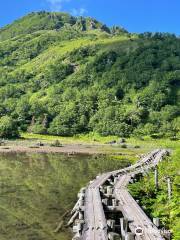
135	146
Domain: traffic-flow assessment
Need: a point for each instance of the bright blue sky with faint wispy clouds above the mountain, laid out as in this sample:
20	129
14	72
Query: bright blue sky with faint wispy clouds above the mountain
134	15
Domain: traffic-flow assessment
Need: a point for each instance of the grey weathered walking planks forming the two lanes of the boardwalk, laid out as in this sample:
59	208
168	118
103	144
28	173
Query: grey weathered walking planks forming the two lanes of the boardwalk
95	227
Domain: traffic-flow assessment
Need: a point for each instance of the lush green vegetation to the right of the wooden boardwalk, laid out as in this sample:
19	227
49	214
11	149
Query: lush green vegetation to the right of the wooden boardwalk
156	202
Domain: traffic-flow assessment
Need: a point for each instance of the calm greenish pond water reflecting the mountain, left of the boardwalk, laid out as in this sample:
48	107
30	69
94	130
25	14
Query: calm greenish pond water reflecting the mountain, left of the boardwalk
37	189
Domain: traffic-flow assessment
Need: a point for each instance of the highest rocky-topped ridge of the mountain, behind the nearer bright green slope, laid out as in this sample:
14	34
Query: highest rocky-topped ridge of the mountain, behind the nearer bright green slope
38	21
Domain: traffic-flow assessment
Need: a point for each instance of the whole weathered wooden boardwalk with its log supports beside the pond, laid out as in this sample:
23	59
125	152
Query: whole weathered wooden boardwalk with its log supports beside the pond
90	221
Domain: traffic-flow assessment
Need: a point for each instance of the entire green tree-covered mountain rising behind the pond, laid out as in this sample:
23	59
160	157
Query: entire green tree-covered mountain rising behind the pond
64	75
